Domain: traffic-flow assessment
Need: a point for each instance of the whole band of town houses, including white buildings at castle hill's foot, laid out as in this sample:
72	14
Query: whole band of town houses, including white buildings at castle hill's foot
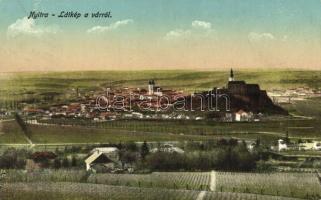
86	107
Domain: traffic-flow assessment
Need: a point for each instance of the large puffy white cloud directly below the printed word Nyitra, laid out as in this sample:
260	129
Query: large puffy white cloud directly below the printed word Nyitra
27	26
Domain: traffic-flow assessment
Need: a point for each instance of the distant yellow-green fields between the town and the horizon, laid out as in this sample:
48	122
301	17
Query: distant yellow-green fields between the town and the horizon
62	85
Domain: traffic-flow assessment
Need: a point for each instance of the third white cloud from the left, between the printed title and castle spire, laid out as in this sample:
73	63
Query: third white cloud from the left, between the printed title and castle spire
197	29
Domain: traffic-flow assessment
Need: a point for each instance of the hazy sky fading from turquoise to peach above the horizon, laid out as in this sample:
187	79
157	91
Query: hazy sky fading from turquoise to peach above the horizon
161	34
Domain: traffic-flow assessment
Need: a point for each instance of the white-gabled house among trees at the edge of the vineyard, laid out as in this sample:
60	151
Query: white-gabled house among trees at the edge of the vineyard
103	159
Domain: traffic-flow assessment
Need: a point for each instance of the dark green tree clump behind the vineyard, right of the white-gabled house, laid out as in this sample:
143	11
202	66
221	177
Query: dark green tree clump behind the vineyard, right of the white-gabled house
229	157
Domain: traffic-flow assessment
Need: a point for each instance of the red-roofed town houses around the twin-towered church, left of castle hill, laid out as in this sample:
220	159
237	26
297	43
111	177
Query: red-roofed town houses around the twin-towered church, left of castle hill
103	105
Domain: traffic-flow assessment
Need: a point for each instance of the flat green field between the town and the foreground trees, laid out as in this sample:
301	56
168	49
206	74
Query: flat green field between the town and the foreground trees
124	131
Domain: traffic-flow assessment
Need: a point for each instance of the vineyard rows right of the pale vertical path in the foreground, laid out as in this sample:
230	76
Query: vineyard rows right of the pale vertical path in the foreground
302	185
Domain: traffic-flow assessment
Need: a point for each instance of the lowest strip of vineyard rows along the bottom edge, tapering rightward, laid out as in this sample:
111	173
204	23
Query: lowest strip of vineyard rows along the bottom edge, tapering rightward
86	191
